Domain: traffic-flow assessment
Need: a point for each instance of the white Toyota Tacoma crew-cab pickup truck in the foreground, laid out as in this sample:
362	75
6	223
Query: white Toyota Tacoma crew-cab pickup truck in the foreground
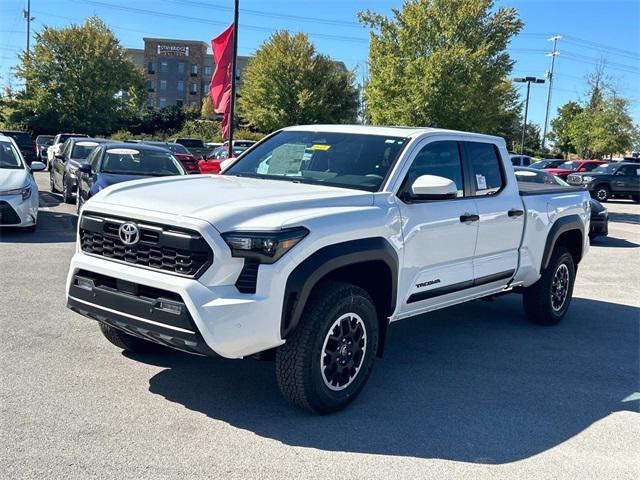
317	238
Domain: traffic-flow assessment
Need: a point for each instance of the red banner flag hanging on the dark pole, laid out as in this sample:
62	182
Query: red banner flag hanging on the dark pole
220	87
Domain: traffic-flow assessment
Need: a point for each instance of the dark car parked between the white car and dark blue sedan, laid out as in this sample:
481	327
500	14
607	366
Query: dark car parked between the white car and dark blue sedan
63	174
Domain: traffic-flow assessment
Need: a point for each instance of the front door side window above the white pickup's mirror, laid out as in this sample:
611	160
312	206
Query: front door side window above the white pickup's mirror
438	158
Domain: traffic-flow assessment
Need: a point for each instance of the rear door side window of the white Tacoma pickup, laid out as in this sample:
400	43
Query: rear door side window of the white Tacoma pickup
485	168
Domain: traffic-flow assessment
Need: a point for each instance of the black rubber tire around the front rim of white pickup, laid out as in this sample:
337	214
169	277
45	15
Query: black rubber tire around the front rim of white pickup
299	370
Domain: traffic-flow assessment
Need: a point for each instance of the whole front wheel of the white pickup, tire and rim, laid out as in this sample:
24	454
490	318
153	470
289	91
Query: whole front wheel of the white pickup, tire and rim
327	360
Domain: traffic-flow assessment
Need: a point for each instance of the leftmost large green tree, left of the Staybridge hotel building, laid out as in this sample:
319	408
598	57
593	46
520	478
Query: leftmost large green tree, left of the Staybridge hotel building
77	78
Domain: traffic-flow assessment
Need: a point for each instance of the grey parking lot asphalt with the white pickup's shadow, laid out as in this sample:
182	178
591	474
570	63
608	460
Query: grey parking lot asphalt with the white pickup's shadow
473	391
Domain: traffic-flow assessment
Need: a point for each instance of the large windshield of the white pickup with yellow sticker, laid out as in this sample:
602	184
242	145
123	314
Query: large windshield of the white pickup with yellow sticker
338	159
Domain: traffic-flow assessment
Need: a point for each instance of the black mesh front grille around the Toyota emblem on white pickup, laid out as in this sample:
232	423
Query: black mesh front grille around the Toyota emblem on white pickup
161	247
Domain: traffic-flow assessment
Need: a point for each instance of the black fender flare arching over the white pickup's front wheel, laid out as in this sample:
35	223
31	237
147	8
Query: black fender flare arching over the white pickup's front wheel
308	273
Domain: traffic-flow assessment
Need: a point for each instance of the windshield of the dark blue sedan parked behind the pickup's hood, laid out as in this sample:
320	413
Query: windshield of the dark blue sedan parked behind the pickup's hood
129	161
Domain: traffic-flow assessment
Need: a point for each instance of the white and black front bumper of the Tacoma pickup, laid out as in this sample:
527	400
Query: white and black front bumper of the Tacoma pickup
222	321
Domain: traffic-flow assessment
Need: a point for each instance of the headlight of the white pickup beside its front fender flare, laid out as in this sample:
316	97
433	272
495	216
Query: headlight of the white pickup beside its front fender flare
267	247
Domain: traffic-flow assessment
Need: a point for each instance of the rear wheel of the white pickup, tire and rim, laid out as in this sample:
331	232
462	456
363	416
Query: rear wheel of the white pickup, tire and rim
546	302
